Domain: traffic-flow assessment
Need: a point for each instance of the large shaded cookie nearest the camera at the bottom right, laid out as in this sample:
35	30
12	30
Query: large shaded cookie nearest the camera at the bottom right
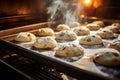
107	57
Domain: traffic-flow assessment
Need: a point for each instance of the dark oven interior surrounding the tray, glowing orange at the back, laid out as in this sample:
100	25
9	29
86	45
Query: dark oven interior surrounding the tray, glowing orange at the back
18	13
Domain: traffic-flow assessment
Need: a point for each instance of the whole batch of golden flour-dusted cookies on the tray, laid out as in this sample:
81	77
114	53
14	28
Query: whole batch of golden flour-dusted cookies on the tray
46	38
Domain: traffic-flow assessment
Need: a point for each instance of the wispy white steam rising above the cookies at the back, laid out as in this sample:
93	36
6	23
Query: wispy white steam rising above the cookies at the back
65	11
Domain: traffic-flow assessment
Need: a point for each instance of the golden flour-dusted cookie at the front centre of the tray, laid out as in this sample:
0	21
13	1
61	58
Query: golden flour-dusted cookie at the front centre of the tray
69	50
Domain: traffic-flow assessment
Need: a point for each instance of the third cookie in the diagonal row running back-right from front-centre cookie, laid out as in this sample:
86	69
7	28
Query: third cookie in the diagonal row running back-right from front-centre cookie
105	33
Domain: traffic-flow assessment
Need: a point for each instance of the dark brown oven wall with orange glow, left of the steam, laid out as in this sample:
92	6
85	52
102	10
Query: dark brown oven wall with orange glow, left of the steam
22	12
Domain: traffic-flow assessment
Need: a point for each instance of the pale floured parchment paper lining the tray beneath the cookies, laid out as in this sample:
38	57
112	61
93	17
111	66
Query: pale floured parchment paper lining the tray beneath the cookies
84	61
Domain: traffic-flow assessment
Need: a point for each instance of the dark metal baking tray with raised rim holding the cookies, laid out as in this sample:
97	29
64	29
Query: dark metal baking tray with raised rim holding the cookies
74	67
